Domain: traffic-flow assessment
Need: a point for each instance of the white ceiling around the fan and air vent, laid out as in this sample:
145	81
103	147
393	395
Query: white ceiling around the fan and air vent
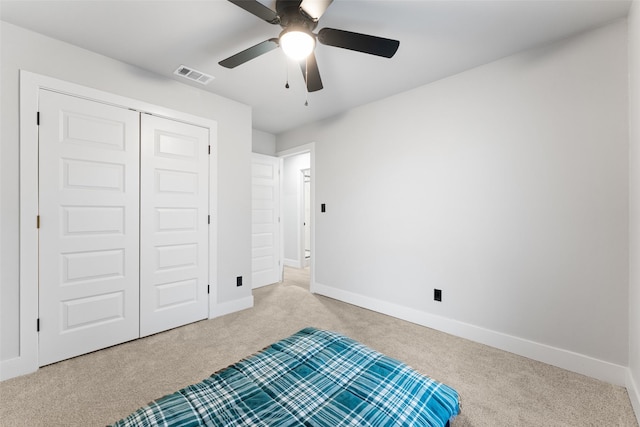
437	39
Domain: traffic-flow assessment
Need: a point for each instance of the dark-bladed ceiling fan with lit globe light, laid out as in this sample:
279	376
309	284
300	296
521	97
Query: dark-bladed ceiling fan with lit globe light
299	18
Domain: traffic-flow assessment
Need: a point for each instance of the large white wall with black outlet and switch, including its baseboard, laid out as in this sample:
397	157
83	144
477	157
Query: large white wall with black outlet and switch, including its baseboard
505	186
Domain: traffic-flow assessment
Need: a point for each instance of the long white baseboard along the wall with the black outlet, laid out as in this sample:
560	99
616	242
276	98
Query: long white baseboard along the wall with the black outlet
571	361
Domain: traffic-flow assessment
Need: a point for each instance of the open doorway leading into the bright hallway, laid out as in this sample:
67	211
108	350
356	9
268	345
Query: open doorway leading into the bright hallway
297	201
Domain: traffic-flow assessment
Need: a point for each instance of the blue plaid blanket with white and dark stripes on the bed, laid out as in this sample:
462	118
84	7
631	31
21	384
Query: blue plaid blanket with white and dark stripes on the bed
313	378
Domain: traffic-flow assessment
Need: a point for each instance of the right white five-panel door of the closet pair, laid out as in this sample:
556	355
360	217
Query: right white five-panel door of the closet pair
174	208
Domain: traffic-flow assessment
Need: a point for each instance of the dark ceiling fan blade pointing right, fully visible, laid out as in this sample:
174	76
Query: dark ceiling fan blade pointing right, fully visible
359	42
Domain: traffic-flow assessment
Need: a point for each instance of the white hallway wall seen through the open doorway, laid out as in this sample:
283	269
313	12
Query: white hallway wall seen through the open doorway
292	214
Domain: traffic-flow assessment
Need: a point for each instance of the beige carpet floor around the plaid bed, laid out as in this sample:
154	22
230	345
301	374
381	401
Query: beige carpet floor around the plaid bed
496	388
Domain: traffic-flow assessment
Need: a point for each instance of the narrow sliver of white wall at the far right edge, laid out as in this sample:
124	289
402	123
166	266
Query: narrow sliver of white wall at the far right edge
634	206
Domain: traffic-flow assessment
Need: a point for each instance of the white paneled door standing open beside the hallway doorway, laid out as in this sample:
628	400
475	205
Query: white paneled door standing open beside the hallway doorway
265	214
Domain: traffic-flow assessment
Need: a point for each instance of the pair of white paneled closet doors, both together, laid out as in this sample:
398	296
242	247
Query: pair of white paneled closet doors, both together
123	210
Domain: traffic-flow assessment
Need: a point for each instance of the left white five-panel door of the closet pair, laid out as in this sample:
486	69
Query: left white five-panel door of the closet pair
88	206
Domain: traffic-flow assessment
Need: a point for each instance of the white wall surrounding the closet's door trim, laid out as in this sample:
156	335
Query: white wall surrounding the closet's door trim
22	49
